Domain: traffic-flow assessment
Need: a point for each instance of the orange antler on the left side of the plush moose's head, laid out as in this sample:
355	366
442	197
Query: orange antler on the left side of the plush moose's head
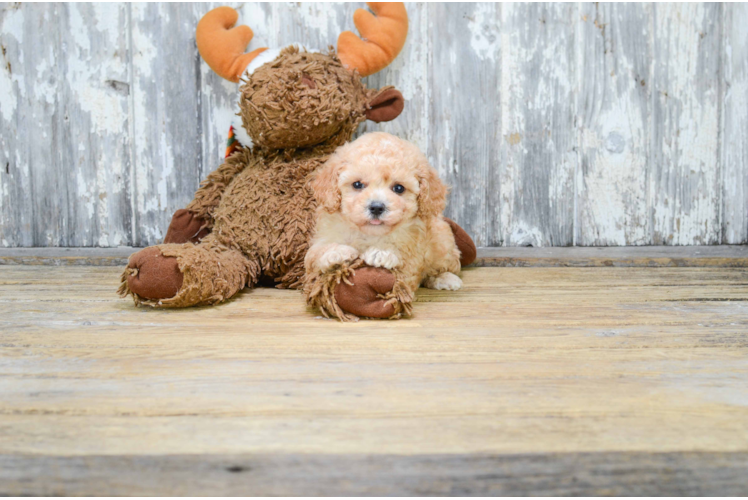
222	46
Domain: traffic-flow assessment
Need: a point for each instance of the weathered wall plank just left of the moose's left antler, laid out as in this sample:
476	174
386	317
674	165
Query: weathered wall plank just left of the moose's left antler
167	149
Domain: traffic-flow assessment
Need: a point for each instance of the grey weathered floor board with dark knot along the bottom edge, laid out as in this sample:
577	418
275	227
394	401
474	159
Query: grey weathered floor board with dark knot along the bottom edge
694	474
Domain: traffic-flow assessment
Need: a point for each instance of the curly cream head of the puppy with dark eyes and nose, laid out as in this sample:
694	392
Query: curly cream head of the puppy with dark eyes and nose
379	181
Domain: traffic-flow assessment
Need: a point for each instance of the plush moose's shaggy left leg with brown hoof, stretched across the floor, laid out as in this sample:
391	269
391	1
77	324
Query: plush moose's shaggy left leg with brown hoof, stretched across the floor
186	275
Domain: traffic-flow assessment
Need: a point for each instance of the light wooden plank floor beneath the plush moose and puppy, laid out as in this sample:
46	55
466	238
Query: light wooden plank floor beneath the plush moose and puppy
529	380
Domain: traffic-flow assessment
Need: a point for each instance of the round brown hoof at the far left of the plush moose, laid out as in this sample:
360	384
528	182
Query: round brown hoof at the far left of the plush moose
153	276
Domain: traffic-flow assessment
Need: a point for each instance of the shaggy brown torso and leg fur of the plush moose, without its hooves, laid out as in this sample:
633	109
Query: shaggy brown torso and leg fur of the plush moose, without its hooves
246	242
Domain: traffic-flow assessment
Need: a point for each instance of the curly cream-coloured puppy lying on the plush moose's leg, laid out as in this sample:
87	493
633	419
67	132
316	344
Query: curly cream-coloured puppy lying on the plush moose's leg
379	199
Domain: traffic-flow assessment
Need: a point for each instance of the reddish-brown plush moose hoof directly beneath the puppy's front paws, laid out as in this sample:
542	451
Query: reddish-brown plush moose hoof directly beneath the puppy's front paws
361	298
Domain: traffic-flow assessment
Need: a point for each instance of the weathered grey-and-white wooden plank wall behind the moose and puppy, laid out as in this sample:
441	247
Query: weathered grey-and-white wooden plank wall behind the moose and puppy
555	124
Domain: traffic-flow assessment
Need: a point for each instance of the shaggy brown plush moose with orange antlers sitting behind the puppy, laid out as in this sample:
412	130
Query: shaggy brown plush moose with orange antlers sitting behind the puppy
252	218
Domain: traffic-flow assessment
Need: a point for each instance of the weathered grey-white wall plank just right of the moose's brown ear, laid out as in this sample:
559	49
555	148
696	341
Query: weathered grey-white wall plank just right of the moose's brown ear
465	85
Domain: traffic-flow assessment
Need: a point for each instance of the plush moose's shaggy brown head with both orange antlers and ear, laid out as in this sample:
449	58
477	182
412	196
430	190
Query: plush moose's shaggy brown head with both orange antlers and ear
292	98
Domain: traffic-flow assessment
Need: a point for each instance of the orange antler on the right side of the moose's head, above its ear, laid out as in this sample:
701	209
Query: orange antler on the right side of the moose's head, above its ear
384	37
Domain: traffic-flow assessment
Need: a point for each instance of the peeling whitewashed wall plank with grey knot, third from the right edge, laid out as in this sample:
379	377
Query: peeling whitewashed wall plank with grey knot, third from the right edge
614	118
